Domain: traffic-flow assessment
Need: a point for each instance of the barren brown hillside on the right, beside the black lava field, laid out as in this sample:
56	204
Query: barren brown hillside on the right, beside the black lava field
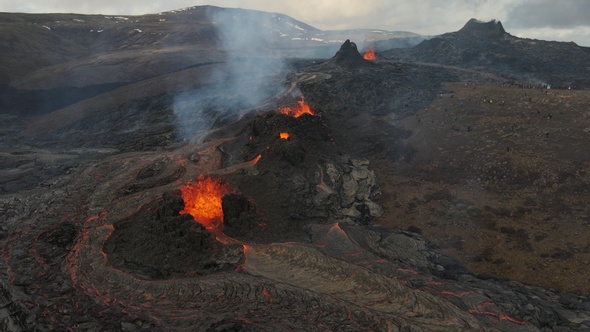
501	185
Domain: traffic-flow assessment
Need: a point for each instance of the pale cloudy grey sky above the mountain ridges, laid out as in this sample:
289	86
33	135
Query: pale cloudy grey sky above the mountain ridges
563	20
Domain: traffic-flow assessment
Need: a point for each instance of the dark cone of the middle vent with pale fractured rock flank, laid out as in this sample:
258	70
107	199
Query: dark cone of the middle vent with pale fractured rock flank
325	183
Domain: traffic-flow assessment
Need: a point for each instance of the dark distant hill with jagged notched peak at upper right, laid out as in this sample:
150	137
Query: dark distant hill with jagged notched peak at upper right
486	46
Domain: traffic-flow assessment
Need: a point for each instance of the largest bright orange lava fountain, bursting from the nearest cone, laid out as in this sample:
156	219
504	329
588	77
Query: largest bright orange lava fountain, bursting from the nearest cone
202	200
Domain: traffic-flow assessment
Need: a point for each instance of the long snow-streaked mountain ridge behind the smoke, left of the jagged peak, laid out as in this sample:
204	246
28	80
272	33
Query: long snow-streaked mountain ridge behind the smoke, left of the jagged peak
33	42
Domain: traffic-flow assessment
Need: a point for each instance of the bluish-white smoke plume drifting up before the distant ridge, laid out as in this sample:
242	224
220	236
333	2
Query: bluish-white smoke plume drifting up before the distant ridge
252	73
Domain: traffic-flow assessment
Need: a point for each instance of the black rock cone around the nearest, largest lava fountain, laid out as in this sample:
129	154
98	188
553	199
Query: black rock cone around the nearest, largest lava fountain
157	242
